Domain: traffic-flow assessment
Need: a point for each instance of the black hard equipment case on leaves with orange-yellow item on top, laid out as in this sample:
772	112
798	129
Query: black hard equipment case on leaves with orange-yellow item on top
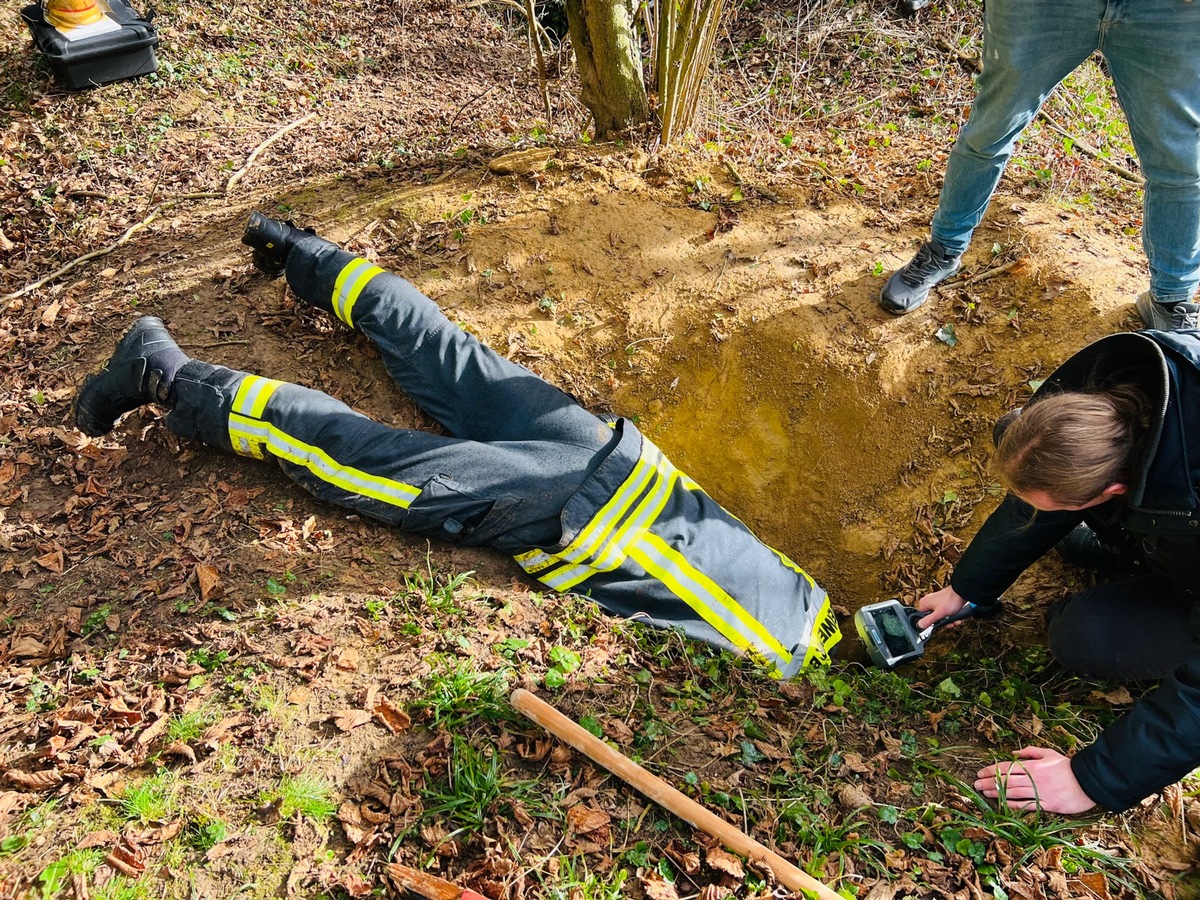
98	61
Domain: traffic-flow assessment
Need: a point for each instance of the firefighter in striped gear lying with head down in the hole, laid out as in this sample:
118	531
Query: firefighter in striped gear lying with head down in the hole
585	505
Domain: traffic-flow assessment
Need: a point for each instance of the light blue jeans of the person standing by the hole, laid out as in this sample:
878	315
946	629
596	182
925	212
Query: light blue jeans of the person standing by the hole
1153	49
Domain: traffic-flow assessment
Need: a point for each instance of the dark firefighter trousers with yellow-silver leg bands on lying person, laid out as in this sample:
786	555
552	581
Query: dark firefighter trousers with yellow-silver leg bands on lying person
517	452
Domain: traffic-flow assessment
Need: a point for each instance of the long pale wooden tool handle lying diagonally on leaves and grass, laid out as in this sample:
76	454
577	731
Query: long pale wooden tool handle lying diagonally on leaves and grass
667	796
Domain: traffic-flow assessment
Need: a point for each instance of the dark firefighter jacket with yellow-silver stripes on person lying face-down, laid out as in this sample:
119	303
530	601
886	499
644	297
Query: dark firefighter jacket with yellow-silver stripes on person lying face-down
645	542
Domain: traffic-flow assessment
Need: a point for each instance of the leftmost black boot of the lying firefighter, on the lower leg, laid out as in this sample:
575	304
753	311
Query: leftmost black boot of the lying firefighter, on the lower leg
141	371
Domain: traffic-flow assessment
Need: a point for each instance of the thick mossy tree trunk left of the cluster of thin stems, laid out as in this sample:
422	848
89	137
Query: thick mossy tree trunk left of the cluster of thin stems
610	63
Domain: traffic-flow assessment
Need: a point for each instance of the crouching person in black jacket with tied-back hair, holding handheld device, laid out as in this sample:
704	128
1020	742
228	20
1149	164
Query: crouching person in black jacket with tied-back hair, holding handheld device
1112	440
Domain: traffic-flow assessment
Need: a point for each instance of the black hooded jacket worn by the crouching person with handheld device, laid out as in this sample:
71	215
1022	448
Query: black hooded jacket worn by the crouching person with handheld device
1159	741
